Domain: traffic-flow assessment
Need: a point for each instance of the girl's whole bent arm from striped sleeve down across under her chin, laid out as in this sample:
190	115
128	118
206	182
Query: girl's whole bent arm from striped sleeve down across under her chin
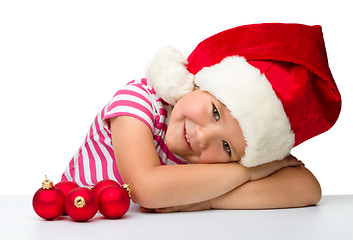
157	186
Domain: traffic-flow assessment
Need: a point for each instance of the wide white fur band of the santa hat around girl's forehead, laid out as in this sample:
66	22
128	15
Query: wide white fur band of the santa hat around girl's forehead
251	100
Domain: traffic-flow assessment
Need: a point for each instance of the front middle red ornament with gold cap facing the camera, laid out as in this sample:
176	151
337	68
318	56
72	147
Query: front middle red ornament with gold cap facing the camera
81	204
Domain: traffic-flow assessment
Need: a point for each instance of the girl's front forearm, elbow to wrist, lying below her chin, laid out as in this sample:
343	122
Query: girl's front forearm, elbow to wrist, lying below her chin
186	184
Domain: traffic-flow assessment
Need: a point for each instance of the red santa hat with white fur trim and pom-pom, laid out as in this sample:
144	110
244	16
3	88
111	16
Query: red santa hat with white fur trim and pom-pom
273	77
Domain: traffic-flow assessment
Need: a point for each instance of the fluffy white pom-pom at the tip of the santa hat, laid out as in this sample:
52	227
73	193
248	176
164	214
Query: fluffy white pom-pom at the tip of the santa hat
168	75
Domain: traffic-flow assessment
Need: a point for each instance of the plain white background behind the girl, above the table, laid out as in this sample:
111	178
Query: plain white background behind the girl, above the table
61	61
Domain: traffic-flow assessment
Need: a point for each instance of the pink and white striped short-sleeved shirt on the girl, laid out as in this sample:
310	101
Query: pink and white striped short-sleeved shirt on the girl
94	160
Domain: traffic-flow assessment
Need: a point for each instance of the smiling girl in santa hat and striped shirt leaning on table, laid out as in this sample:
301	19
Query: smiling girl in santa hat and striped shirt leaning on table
215	131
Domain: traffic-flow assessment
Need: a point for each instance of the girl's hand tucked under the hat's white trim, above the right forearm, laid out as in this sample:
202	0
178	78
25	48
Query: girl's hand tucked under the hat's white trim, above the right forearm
267	169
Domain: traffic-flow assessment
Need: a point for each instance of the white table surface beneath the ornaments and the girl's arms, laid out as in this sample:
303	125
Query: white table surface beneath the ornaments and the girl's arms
331	219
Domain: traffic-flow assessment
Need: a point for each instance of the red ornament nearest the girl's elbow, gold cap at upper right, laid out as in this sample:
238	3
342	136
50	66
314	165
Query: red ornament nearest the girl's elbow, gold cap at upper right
114	201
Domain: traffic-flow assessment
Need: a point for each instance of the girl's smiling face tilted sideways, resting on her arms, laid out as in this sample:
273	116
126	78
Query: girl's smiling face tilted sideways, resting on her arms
202	130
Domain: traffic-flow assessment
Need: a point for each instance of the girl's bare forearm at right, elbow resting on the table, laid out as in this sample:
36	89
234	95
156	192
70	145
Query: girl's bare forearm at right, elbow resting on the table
289	187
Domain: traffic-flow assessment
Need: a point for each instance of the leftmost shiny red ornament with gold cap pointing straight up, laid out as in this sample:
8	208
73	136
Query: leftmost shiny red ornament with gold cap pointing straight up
49	201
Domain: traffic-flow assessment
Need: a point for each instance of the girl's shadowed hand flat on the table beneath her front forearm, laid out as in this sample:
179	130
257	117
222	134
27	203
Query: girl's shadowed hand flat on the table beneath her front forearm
206	205
